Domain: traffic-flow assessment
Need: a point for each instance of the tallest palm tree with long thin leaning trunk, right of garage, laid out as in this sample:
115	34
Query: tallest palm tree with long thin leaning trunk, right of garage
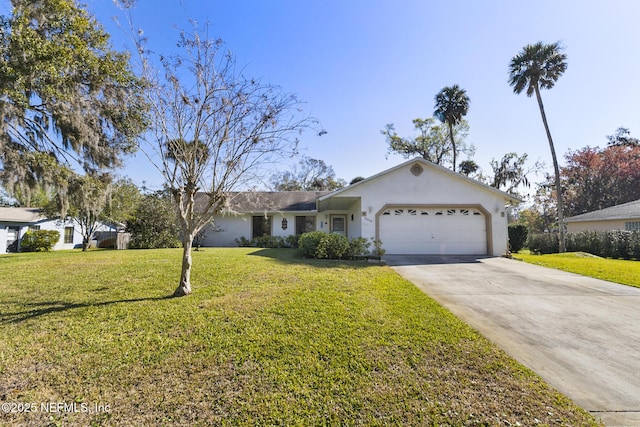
539	66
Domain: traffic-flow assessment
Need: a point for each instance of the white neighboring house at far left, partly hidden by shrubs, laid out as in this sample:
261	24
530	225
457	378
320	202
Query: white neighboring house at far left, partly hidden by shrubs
15	222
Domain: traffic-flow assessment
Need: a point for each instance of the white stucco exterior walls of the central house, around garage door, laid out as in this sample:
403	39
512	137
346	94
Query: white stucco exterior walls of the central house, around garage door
362	203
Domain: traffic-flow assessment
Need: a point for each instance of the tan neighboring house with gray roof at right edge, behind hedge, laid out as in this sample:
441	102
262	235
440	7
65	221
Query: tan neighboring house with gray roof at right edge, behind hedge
621	217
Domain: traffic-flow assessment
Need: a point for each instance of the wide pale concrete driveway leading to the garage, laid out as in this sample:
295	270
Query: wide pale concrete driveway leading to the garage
581	335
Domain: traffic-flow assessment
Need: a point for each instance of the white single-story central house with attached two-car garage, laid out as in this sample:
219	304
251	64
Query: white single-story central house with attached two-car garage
417	207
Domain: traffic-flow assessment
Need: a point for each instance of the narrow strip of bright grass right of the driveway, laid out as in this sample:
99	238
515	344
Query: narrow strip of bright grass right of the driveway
614	270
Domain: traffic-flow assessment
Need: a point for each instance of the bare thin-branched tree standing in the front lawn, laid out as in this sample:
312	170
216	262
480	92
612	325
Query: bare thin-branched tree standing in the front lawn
214	131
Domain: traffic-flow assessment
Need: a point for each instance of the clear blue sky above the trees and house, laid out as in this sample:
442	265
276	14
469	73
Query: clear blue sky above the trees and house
359	65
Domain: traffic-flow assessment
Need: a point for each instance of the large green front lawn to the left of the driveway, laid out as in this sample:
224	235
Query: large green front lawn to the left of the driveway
265	339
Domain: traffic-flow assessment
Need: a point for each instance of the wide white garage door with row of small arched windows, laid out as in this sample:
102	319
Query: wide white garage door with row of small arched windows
456	231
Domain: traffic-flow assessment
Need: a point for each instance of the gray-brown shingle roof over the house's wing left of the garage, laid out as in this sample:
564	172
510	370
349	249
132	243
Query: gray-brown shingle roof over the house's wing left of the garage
281	201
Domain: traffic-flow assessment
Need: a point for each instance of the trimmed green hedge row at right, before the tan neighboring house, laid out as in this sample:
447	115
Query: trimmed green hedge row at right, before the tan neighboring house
609	244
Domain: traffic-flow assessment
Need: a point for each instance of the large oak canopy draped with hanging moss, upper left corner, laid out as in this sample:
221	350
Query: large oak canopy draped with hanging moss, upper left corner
67	99
